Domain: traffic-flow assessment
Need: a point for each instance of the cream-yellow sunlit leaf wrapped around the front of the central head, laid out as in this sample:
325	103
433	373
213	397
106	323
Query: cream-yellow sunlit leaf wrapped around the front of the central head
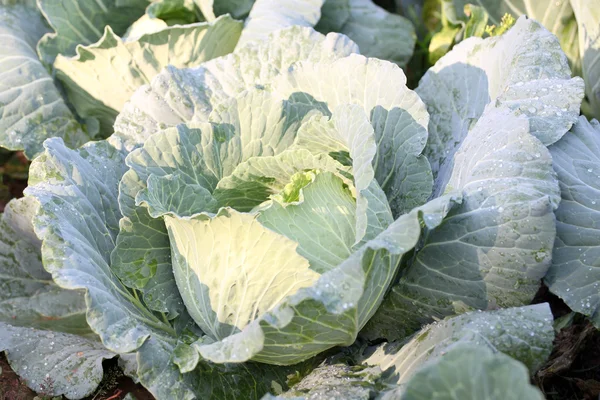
225	294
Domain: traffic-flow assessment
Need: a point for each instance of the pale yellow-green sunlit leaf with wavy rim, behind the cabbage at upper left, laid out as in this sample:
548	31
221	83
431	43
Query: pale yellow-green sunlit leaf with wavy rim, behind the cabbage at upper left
102	77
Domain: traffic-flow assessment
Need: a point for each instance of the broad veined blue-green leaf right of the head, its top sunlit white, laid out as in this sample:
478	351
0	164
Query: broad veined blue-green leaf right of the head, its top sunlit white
492	250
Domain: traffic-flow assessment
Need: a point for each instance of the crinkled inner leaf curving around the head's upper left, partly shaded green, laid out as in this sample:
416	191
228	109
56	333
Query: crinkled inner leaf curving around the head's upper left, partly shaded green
254	124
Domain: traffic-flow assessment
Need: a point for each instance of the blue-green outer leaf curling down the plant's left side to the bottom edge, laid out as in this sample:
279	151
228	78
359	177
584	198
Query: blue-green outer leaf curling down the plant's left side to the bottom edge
78	223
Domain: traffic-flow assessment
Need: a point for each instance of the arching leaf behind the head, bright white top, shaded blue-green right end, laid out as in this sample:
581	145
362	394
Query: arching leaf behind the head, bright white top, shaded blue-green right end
398	117
